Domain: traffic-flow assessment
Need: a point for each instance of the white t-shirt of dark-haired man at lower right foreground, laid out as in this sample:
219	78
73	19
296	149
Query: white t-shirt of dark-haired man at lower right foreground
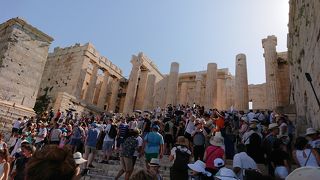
243	161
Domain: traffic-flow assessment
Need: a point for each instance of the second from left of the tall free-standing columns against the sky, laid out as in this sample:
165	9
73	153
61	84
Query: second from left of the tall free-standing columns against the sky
211	86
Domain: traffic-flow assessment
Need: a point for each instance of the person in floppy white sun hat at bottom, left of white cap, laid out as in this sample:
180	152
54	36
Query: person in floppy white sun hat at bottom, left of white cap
198	171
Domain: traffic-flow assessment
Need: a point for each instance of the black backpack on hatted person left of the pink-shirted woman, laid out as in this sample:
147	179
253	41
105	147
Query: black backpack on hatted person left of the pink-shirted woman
181	161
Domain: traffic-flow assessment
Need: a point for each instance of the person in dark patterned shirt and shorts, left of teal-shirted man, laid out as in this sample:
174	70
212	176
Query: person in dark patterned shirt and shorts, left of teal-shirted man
126	157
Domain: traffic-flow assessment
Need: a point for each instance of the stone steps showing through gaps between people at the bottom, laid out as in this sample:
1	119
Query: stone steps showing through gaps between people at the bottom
110	170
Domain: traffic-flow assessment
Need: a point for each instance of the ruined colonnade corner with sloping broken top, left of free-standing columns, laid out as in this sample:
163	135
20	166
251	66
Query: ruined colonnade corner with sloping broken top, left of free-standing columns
144	74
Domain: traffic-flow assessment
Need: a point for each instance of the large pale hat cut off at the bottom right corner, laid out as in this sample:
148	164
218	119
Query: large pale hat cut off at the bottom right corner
304	173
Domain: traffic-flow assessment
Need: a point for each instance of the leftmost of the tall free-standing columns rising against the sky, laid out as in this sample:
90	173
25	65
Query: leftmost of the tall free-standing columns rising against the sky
172	89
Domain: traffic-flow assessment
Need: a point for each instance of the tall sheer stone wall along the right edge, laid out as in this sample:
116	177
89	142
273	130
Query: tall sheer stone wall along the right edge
303	56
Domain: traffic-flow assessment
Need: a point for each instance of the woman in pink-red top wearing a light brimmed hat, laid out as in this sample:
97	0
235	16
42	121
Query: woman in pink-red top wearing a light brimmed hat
213	152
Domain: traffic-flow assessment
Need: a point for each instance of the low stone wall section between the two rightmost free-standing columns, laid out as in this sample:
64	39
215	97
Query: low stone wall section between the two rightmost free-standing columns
258	96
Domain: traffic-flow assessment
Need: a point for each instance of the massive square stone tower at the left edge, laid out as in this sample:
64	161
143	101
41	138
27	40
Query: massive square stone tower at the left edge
23	54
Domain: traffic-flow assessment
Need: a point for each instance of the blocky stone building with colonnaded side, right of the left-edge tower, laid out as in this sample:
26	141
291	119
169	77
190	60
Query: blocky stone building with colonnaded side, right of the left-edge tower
79	77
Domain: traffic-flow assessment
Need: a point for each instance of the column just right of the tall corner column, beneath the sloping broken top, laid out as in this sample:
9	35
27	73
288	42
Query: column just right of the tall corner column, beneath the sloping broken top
142	83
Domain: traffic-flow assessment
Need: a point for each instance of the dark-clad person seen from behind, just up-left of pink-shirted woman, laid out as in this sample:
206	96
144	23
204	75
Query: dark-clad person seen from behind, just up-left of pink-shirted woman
199	140
